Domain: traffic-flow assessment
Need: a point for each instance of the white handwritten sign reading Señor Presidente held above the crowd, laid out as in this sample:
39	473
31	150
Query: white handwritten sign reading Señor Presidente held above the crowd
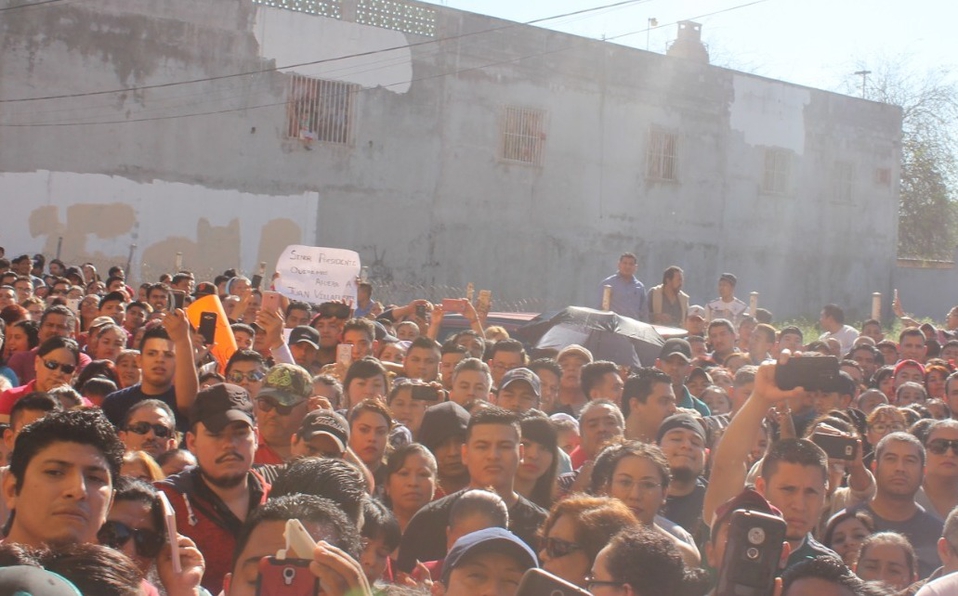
316	275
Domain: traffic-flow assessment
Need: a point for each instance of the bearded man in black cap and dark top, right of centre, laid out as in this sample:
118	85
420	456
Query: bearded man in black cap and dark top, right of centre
682	440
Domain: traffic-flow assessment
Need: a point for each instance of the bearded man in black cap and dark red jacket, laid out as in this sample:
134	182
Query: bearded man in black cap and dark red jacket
214	498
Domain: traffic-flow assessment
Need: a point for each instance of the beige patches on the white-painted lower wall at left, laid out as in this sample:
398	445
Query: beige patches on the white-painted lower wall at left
215	249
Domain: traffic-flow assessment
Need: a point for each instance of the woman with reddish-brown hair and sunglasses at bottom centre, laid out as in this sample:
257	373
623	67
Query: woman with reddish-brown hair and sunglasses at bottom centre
576	530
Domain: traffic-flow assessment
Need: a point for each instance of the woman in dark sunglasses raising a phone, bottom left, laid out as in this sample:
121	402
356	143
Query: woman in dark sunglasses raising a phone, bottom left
135	527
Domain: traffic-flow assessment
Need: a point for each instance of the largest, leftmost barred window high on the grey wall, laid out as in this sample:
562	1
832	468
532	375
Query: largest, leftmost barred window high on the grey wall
320	110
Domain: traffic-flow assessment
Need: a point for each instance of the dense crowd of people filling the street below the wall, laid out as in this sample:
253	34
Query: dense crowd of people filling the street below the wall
142	458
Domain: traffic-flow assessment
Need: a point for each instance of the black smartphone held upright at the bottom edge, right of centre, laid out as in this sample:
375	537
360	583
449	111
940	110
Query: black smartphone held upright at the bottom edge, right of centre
752	555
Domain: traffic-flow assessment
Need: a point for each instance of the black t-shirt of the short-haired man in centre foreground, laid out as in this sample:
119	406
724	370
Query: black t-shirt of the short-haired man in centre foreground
425	536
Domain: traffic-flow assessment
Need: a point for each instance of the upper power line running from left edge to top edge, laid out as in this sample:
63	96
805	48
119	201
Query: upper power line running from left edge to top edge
315	62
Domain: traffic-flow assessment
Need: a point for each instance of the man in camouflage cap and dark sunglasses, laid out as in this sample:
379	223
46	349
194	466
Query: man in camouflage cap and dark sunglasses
281	406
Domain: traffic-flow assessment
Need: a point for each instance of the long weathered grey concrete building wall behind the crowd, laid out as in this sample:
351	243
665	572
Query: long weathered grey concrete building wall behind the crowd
420	190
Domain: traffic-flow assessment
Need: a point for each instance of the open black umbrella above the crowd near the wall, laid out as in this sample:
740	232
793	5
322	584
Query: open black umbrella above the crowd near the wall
609	336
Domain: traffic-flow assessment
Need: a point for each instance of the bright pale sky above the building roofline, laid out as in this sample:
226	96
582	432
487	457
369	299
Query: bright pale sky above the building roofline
818	43
